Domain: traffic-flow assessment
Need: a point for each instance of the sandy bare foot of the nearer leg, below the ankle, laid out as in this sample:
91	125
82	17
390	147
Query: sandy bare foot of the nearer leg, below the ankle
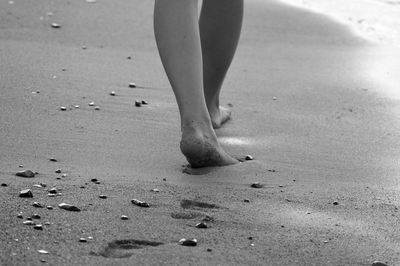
200	146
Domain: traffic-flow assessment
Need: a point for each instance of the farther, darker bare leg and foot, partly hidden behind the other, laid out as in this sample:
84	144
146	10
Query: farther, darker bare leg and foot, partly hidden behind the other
220	26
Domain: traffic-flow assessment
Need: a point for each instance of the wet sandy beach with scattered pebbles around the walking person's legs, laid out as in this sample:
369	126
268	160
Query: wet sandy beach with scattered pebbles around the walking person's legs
314	104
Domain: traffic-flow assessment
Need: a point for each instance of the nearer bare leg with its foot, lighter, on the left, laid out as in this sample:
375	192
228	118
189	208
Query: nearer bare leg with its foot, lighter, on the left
178	40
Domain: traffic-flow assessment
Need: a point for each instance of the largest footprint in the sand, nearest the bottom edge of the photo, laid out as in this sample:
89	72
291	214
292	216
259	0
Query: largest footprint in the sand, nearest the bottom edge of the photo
122	248
